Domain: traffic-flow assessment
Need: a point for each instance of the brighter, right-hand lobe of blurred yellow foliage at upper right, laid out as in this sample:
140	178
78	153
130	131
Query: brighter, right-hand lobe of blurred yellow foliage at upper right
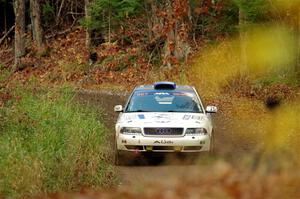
270	49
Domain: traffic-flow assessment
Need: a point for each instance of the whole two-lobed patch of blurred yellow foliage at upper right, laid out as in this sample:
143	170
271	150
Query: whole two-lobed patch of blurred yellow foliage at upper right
271	57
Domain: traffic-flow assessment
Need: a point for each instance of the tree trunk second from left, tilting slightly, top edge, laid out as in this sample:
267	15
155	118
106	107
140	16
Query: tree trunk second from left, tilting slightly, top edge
37	31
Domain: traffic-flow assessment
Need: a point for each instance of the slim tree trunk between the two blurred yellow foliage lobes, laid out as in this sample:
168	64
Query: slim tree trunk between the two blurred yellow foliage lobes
243	42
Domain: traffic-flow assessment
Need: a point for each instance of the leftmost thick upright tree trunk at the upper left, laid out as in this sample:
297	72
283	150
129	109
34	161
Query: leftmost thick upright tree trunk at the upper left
19	8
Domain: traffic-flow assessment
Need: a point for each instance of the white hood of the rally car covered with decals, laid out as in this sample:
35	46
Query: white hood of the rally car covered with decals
162	119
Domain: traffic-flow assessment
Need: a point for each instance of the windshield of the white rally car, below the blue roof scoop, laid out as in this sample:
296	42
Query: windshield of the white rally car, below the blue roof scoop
164	101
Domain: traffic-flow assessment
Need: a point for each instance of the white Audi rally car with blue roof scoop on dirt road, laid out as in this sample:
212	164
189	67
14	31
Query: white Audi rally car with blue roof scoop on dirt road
164	117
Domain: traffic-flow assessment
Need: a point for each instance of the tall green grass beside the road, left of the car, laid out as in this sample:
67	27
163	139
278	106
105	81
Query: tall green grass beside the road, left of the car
49	144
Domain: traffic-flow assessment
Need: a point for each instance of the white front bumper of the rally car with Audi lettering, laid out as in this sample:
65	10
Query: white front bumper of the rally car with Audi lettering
140	143
